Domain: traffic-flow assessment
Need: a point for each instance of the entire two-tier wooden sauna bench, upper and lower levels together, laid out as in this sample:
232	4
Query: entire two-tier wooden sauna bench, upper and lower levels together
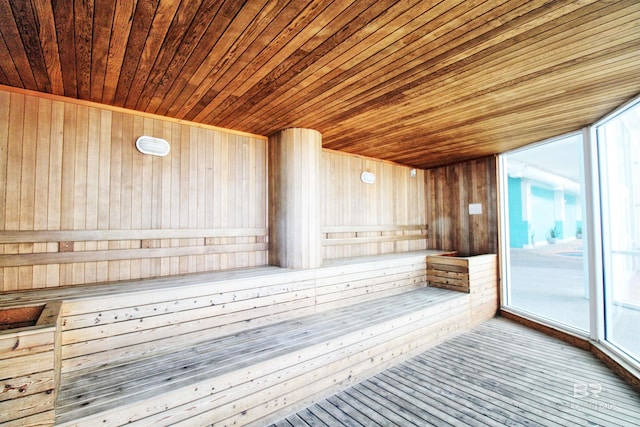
243	347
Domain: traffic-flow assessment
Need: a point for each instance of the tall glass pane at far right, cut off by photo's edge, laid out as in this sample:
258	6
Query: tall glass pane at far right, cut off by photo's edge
619	154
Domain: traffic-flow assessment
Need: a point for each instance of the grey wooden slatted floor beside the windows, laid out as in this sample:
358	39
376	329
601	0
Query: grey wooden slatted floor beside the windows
500	373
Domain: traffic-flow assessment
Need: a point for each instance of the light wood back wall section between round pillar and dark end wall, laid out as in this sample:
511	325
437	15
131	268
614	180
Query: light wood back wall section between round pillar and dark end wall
369	219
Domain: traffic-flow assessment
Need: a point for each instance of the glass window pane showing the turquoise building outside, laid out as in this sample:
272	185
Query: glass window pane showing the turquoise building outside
546	268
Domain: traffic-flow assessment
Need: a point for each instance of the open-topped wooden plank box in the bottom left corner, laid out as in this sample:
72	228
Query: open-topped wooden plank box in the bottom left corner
29	364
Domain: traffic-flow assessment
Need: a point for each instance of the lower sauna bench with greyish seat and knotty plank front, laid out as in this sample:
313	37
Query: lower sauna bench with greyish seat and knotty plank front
262	374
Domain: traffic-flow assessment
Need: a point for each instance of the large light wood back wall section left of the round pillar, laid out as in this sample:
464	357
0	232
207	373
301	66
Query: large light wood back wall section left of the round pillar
73	169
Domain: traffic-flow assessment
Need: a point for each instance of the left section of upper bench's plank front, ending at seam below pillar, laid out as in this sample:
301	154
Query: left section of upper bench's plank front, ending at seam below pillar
102	329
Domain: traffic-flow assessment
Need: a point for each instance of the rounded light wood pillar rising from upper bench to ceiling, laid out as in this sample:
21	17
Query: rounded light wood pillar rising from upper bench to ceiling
294	198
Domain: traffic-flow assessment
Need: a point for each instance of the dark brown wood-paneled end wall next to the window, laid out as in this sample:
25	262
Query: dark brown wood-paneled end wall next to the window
450	190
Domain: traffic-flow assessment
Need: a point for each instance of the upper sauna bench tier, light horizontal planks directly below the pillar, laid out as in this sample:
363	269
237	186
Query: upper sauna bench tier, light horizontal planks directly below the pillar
128	325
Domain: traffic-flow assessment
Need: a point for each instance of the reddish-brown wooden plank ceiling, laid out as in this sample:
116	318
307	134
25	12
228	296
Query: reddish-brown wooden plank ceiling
423	83
